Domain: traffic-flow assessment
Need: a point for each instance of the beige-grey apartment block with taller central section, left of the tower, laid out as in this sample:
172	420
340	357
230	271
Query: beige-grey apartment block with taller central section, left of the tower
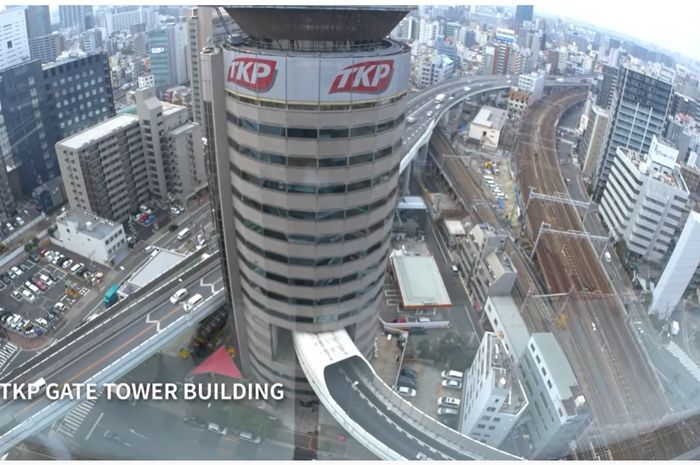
115	166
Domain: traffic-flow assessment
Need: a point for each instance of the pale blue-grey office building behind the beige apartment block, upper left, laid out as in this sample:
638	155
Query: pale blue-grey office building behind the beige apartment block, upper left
167	50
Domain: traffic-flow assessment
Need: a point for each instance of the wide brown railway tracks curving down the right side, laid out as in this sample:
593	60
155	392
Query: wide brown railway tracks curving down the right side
623	395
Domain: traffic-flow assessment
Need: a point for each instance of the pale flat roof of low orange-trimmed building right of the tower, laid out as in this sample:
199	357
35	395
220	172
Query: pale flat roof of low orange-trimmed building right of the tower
420	282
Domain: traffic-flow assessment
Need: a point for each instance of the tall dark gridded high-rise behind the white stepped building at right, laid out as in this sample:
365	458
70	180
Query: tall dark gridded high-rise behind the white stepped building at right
639	111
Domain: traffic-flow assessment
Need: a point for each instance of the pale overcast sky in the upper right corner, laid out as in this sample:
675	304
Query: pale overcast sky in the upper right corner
672	24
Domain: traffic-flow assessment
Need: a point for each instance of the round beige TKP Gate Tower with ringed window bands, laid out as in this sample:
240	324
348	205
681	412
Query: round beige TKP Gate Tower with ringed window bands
304	245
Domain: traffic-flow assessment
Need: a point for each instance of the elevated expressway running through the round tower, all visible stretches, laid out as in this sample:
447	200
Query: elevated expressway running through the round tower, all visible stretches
117	341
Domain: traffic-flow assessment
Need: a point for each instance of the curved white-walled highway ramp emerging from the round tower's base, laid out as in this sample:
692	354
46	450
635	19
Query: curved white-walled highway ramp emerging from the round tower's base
374	413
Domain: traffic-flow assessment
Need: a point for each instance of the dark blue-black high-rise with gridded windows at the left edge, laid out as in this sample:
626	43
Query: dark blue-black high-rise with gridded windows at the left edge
42	105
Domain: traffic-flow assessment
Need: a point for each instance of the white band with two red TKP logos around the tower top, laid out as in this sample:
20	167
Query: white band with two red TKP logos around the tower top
316	79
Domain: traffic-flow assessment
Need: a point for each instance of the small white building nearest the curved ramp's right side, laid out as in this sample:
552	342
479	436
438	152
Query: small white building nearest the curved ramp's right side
494	398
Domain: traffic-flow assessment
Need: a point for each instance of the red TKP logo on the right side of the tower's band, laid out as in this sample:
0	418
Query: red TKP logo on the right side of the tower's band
368	77
